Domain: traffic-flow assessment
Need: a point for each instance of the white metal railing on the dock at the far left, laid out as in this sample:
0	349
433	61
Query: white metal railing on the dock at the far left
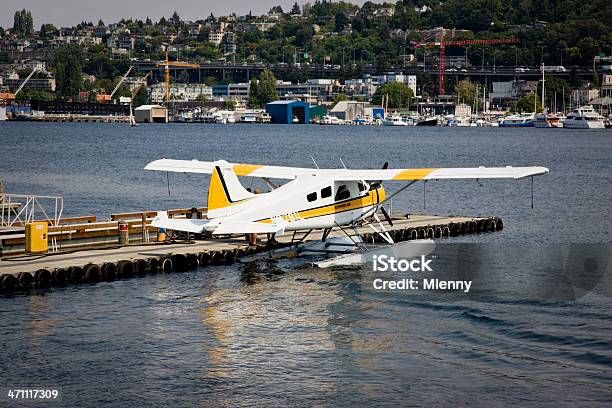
20	209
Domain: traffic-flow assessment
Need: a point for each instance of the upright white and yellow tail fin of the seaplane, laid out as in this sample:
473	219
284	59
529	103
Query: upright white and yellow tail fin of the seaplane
224	191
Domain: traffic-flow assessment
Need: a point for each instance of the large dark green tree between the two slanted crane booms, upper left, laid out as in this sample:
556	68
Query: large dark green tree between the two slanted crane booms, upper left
68	70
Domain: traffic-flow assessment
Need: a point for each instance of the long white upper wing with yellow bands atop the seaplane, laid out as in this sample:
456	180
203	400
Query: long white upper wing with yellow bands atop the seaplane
281	172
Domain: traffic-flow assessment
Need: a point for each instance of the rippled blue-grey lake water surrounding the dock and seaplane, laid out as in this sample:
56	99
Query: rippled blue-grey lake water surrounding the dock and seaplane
534	330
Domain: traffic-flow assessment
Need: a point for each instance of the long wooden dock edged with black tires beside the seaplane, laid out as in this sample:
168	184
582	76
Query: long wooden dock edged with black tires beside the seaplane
109	261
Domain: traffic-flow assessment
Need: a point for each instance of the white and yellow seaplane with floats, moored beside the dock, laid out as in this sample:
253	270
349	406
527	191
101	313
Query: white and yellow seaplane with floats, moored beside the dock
313	199
